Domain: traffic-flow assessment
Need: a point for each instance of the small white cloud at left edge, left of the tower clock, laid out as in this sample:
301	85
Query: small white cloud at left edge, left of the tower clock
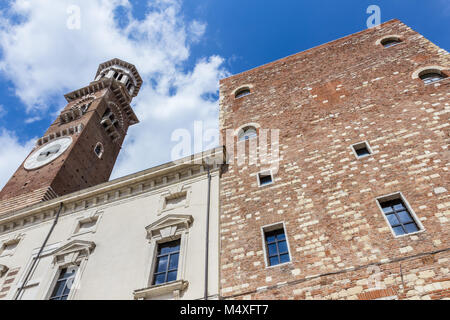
12	154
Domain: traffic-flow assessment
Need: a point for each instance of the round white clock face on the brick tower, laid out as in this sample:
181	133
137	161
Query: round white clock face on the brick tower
47	153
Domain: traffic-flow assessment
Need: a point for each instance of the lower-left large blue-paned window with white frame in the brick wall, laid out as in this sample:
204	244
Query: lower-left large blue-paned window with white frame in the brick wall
276	246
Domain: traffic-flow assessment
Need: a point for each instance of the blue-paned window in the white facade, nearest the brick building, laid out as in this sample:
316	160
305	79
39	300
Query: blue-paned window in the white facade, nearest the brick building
166	268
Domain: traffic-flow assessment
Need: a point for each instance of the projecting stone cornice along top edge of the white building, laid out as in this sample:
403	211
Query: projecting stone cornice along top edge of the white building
142	182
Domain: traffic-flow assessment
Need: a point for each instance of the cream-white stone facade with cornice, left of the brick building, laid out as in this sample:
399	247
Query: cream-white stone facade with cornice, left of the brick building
110	233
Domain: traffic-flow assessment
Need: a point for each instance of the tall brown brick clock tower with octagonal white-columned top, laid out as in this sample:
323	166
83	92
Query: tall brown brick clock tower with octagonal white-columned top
80	147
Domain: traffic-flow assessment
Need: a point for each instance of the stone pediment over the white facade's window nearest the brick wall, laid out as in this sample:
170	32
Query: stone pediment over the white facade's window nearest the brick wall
169	227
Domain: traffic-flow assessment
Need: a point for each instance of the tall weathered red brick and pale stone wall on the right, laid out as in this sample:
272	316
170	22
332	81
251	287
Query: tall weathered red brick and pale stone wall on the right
324	100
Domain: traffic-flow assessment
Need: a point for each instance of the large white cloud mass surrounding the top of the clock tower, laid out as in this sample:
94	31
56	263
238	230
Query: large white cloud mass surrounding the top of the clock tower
45	59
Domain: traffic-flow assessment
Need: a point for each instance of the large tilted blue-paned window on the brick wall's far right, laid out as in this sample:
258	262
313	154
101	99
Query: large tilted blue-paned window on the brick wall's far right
400	218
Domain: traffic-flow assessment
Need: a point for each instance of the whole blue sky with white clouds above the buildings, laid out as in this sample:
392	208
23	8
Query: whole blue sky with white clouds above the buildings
182	49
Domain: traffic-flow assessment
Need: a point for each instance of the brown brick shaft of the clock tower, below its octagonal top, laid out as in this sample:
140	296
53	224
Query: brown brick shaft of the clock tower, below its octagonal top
78	167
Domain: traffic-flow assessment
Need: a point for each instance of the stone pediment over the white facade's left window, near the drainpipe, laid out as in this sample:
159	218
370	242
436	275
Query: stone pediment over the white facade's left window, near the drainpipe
73	252
